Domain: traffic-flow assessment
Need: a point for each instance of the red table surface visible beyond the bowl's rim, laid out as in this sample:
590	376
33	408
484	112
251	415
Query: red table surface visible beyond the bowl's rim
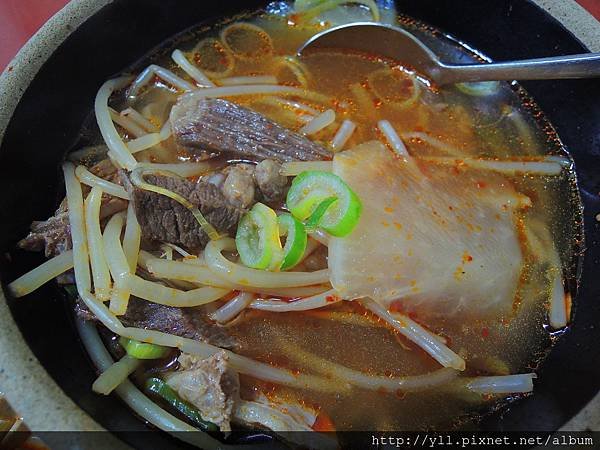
20	19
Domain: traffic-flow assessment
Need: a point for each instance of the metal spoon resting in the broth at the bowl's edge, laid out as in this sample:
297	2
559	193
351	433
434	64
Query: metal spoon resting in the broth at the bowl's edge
397	44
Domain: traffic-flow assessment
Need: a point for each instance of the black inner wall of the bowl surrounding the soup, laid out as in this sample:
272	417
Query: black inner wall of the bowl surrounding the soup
52	109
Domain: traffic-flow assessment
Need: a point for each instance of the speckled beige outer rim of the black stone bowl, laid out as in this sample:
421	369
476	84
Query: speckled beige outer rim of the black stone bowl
48	407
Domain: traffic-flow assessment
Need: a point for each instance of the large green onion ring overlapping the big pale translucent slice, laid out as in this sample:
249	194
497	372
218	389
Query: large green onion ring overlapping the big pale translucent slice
308	192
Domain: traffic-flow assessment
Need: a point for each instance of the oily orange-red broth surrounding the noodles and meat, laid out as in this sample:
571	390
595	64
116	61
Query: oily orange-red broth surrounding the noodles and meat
467	131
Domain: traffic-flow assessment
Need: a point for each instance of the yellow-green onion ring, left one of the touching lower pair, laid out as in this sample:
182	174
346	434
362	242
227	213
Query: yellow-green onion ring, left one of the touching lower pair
257	239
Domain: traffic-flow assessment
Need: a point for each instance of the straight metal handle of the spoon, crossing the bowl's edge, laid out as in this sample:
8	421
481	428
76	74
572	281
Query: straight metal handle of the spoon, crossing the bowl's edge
585	65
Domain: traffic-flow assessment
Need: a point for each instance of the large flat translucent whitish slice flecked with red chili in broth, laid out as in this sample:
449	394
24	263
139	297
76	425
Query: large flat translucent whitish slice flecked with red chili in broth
437	239
